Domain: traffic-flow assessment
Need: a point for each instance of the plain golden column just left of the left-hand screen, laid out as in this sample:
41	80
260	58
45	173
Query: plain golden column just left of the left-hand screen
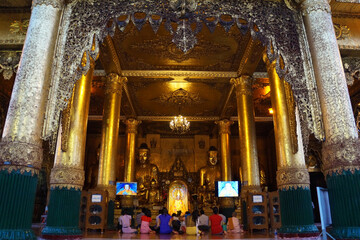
110	133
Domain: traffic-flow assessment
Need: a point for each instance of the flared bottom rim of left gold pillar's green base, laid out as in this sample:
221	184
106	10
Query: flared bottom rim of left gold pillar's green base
61	233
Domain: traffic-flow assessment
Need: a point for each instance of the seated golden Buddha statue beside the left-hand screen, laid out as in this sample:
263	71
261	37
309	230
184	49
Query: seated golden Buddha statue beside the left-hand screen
146	174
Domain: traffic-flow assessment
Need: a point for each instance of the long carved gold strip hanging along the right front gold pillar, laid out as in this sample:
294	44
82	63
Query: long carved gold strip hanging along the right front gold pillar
290	103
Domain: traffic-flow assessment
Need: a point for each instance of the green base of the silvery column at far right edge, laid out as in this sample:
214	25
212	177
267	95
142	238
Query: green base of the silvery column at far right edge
344	195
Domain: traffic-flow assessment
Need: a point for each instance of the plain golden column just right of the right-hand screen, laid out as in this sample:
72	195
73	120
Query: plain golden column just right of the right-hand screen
248	149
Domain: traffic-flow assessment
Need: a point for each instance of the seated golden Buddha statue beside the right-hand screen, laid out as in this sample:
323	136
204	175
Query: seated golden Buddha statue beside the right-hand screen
208	175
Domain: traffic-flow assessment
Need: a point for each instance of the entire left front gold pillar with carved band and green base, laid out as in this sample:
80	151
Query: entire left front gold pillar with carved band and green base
67	175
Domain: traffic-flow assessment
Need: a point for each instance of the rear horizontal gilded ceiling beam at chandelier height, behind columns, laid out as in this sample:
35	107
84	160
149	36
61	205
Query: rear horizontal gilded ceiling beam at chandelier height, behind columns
190	119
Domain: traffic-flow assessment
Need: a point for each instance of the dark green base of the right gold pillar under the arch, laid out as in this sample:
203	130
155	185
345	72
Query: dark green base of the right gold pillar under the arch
296	213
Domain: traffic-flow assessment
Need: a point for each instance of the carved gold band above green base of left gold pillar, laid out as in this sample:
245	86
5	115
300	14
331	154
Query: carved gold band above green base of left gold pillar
67	177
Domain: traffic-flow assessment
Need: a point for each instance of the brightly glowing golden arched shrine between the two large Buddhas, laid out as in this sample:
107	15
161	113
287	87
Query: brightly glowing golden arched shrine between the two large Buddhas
178	197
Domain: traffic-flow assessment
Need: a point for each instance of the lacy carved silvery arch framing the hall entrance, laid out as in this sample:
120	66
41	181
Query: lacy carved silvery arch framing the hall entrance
276	26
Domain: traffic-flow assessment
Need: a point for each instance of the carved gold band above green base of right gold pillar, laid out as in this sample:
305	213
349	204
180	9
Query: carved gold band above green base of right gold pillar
292	177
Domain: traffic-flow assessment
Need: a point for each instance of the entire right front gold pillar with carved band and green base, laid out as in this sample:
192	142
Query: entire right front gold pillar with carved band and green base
292	176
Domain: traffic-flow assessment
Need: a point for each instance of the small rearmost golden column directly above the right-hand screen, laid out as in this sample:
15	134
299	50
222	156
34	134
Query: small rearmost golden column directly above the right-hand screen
224	134
